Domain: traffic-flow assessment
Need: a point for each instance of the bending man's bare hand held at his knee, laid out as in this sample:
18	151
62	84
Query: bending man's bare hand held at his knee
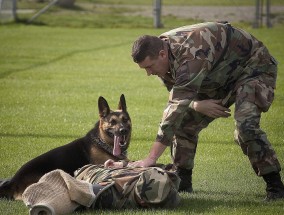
212	108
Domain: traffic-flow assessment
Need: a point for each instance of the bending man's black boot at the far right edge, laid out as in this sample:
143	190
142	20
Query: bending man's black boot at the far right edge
274	186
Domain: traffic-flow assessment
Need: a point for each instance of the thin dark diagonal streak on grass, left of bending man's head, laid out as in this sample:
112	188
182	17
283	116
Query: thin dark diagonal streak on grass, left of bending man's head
64	56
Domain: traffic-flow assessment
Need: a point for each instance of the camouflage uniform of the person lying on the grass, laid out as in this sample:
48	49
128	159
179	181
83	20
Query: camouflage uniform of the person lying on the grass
132	187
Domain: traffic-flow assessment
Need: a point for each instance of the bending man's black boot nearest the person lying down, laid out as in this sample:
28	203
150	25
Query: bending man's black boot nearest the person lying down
186	178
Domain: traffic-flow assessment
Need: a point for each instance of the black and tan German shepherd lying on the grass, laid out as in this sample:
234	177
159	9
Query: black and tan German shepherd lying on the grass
109	139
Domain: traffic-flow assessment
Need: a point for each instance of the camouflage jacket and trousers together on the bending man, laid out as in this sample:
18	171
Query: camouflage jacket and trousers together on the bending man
218	61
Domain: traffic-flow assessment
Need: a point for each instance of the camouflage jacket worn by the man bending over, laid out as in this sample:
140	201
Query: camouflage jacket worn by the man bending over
205	59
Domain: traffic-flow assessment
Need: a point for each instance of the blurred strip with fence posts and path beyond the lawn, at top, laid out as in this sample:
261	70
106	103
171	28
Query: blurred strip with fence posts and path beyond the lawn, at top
141	13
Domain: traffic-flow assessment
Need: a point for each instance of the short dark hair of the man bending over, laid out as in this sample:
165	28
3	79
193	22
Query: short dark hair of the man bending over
146	46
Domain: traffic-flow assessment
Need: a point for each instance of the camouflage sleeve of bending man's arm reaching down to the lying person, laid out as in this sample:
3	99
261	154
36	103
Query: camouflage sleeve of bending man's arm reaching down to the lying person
189	77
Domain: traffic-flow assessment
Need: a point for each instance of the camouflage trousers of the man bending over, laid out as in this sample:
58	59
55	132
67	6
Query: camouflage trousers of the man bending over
251	98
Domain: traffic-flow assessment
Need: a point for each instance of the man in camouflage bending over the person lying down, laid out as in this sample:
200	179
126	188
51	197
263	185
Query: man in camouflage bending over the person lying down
206	68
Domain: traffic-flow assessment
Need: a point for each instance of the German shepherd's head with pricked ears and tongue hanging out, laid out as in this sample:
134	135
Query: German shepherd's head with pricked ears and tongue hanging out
115	126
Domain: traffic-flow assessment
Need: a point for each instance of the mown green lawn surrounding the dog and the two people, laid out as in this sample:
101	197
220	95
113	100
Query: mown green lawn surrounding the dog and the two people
51	78
